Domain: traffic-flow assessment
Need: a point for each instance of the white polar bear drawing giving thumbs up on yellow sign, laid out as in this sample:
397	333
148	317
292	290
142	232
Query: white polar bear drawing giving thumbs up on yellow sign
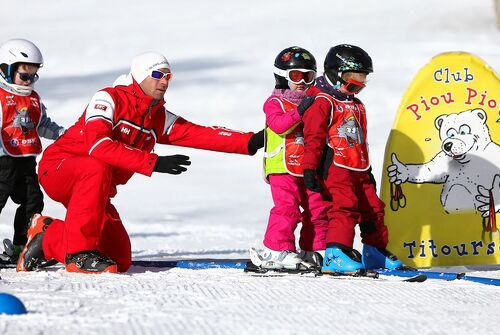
468	164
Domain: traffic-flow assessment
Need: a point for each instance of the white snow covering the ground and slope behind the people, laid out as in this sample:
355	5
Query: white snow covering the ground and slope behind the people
222	55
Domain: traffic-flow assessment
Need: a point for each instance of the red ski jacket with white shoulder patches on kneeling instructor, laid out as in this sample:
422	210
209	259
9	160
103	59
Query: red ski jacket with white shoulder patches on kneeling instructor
121	125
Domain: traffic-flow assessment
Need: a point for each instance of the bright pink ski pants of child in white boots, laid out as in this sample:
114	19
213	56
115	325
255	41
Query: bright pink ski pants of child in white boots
289	194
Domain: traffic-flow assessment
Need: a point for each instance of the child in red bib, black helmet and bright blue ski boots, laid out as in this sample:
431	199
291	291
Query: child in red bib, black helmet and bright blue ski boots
335	145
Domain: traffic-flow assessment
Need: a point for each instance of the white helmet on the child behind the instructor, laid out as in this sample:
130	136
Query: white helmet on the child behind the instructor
18	51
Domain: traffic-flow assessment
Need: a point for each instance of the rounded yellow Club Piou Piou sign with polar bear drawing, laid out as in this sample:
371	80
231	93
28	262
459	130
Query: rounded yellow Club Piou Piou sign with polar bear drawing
441	179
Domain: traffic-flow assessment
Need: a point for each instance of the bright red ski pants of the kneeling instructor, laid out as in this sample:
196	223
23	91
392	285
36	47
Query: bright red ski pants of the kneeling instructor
82	185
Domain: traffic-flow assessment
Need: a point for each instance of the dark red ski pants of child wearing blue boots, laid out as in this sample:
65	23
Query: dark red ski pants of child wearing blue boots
351	199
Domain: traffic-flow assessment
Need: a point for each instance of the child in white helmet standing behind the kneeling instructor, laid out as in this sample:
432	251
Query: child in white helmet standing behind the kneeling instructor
23	120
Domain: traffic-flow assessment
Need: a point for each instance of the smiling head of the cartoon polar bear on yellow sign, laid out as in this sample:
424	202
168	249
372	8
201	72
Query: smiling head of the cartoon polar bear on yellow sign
463	133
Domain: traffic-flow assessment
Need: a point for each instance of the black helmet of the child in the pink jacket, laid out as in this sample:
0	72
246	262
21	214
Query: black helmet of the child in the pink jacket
293	58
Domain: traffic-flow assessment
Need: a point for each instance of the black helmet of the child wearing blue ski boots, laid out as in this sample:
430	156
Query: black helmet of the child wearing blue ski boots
346	58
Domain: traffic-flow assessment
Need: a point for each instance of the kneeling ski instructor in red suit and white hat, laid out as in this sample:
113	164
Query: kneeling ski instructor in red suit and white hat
111	141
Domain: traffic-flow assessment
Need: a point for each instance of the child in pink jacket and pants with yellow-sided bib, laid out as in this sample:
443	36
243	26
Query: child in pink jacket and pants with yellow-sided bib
294	72
